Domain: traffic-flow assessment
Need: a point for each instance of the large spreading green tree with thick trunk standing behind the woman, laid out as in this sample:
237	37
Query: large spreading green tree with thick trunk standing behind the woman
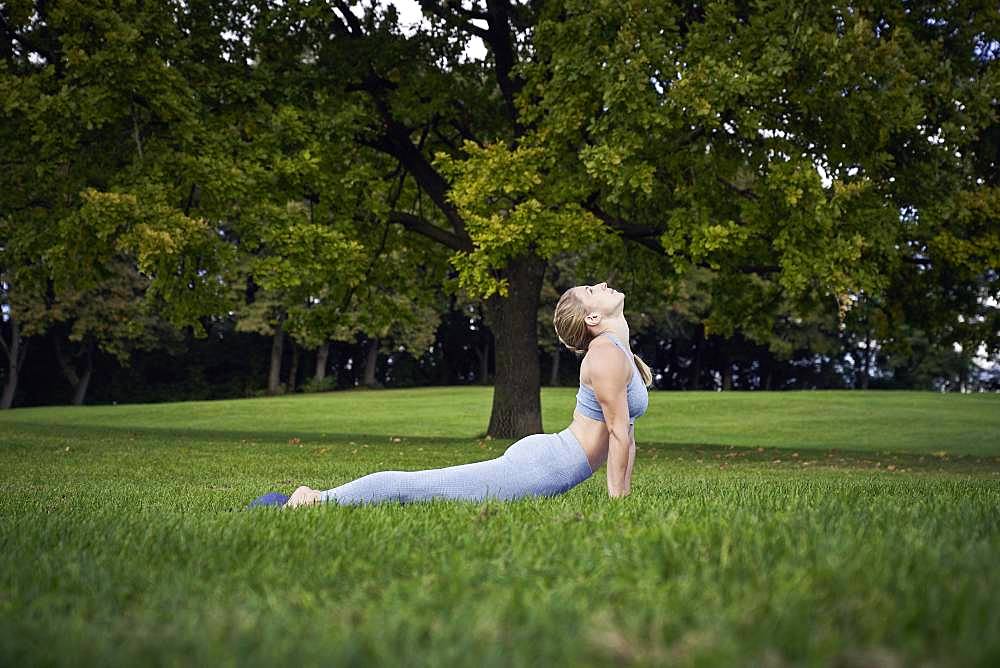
804	154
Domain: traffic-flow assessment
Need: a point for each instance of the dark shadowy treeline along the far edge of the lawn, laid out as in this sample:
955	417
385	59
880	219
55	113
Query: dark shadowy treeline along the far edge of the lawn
233	364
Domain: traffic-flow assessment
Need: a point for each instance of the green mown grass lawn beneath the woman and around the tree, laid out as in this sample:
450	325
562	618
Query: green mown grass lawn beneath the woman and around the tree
808	528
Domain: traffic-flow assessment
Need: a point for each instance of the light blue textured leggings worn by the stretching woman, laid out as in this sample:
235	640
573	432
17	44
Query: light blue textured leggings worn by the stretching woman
536	465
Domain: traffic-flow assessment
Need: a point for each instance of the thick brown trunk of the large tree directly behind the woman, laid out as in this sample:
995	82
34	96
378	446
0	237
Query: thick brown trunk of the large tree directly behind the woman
514	321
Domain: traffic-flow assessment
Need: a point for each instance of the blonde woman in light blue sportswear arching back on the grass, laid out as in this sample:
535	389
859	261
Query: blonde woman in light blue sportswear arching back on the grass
588	320
